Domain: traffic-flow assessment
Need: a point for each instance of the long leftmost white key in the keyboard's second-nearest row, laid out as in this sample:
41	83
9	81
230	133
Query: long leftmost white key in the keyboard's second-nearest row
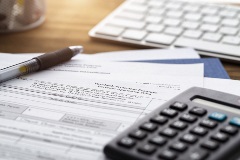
127	23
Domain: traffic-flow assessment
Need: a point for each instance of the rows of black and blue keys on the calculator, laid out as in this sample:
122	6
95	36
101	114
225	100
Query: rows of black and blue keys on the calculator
190	124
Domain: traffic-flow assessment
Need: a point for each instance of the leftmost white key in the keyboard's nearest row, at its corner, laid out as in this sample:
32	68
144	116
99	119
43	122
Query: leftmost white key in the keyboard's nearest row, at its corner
110	31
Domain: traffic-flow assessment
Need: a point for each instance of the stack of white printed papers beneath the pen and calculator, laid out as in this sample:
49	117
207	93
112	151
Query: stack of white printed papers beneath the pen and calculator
72	110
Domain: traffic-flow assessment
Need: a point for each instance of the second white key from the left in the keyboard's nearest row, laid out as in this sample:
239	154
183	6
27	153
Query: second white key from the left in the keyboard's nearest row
134	34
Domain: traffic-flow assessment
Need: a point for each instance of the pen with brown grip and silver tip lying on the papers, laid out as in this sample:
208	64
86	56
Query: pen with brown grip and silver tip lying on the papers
39	63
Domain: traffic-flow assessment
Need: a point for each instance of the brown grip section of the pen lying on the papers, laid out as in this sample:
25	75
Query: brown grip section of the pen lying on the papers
54	58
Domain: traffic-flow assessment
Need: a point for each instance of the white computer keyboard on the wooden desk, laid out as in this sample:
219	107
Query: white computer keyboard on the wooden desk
211	29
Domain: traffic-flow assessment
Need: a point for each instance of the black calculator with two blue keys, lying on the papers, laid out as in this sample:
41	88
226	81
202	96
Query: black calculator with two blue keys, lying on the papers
198	124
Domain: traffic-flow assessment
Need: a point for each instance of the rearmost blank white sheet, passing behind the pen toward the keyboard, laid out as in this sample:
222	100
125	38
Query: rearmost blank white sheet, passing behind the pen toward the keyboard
7	59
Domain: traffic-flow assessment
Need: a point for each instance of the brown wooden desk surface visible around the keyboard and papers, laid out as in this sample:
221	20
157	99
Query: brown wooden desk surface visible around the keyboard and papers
67	23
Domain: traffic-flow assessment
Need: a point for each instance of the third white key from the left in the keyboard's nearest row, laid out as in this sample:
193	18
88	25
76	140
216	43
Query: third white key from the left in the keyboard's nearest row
160	38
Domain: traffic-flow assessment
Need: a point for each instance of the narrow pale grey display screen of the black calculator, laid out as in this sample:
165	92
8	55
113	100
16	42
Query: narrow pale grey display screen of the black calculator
216	105
